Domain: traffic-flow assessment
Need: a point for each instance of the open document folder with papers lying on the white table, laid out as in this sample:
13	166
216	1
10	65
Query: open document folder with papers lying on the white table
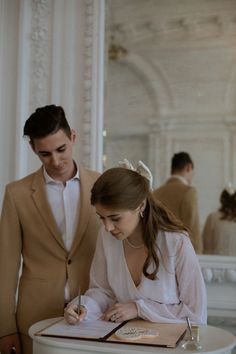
162	334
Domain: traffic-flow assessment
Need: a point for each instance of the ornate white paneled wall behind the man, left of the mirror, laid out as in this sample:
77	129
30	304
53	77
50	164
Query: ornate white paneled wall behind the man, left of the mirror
47	55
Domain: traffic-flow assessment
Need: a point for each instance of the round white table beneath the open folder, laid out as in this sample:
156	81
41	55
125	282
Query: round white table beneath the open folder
213	340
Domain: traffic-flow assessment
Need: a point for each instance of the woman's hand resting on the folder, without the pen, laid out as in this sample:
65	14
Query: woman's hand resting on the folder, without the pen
121	312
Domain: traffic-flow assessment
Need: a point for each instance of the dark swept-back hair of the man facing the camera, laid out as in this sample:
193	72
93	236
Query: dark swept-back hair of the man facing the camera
45	121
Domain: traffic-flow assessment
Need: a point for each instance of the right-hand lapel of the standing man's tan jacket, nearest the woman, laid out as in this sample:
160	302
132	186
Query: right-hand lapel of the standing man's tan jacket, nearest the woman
86	183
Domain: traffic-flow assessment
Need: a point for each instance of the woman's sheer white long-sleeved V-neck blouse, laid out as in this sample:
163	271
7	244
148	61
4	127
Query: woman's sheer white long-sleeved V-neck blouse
178	291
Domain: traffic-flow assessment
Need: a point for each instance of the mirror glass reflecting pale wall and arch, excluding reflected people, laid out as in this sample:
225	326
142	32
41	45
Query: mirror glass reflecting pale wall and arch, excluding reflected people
174	89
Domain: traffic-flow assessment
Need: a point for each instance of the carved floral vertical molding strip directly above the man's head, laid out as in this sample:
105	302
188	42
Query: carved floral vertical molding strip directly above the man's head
40	56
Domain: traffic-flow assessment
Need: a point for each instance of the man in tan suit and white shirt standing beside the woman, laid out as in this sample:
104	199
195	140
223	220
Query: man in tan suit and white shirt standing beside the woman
47	225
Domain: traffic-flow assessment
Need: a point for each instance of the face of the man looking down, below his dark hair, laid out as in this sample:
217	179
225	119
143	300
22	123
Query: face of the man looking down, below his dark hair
55	153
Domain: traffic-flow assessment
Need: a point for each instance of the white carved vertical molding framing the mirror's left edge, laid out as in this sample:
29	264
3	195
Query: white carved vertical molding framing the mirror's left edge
93	84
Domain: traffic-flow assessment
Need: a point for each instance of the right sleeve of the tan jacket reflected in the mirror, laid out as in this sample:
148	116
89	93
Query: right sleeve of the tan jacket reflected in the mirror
190	217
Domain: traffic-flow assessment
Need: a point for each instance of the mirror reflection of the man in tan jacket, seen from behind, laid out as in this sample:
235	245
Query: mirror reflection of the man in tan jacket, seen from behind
181	198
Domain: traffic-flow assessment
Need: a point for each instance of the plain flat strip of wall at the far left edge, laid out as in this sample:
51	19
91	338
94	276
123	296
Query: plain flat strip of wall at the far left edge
9	24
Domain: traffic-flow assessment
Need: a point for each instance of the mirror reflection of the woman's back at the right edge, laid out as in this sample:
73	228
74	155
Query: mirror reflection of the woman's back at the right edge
219	233
